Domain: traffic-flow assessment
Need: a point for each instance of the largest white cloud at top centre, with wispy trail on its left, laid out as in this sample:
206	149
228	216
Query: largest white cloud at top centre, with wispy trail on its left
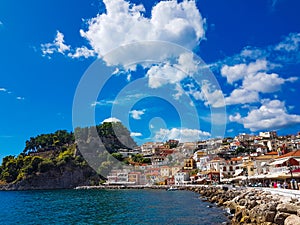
124	23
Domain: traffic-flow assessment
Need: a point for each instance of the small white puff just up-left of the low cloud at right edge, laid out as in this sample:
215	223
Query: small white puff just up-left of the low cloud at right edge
242	96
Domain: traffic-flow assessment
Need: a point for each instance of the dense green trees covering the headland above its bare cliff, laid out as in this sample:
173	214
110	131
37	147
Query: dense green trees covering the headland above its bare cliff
59	151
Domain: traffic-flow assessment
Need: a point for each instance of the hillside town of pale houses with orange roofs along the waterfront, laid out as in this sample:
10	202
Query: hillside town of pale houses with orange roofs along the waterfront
266	159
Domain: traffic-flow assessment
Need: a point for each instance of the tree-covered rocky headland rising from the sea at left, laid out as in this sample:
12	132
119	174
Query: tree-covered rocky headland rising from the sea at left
53	161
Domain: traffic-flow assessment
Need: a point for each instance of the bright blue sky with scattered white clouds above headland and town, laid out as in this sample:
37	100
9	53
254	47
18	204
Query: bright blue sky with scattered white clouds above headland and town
250	51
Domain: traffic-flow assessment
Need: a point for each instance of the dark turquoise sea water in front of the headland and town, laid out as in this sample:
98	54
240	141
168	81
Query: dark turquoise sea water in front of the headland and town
106	207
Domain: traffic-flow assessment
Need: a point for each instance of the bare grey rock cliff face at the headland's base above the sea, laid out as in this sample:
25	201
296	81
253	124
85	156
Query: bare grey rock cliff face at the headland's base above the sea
57	178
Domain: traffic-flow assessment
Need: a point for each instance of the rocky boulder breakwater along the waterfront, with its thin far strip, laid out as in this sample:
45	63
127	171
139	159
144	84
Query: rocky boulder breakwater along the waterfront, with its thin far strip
247	206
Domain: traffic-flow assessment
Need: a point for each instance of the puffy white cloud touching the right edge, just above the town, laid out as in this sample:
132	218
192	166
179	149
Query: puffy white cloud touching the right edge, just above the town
272	114
